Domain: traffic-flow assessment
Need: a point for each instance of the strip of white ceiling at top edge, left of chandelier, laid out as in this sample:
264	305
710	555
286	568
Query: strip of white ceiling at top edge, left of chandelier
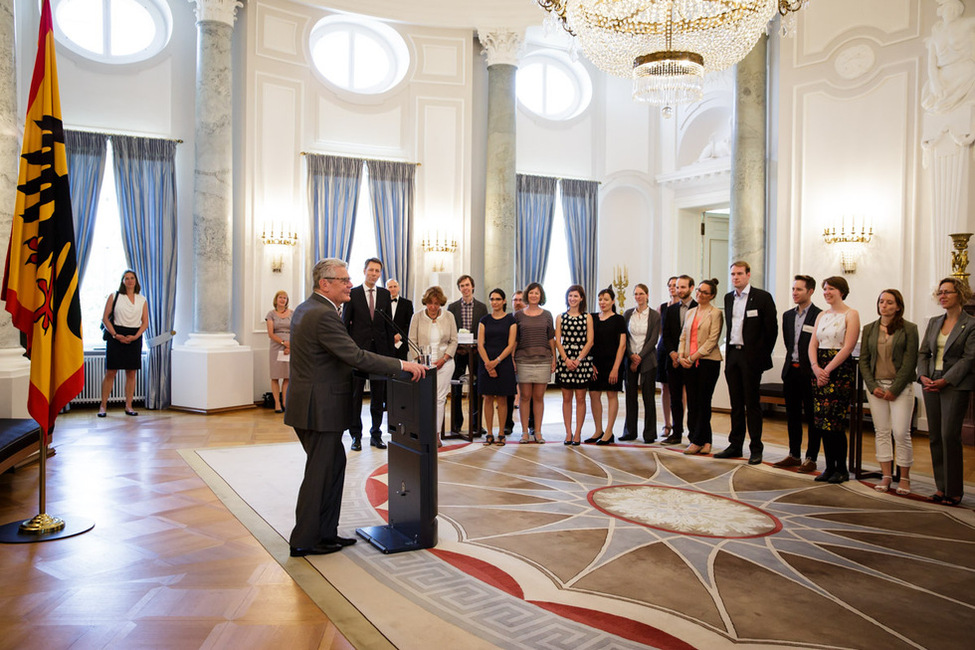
514	14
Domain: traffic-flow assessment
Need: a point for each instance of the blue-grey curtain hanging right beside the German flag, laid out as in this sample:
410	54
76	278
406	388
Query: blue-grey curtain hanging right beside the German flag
86	169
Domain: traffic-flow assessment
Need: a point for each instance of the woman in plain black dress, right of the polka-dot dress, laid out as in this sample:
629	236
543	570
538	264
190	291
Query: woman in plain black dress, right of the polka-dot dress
608	350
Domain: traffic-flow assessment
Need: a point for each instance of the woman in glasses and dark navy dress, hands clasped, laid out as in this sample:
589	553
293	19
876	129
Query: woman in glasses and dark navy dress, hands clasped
497	336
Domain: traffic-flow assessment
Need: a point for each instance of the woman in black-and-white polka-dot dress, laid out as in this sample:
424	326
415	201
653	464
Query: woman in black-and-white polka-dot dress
573	340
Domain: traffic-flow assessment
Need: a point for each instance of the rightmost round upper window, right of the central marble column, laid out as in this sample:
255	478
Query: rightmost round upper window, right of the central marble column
552	86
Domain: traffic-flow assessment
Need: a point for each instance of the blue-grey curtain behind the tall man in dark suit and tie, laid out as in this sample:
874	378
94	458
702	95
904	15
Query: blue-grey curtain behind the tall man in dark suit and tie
391	191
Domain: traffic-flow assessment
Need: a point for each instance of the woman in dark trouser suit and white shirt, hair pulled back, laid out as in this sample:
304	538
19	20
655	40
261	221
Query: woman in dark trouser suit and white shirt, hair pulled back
641	372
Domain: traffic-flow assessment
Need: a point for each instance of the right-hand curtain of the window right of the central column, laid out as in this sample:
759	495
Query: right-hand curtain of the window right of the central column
580	205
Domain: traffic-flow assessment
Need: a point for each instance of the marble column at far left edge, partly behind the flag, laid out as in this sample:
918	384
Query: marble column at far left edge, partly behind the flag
14	368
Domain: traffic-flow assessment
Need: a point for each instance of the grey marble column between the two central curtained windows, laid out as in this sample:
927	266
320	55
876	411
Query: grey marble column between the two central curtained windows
501	50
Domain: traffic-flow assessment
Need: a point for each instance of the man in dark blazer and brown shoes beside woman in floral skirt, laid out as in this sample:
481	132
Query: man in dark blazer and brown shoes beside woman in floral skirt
797	327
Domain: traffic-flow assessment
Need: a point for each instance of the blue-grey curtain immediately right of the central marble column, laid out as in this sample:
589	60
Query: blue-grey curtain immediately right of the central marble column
535	210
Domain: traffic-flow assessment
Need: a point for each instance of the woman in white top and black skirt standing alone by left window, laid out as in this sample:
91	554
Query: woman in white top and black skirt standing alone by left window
125	318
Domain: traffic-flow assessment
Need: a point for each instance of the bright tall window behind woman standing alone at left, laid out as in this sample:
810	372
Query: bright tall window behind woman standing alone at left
106	262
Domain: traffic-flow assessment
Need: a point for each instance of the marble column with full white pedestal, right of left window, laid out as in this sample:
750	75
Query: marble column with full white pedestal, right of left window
211	371
